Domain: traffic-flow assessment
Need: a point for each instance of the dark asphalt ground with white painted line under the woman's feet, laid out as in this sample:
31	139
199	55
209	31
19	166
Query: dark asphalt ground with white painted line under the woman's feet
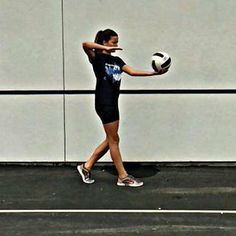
43	190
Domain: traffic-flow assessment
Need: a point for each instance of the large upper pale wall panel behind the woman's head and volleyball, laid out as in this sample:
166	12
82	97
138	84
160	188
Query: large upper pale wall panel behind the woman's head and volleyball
198	34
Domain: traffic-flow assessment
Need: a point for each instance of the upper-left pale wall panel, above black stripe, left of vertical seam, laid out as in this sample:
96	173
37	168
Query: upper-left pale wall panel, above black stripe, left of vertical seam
30	45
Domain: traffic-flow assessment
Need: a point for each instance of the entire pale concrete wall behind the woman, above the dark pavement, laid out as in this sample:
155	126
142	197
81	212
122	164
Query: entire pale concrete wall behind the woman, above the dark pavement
40	51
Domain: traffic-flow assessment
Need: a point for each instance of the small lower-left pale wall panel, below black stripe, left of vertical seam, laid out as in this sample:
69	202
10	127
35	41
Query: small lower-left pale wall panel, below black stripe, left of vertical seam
31	128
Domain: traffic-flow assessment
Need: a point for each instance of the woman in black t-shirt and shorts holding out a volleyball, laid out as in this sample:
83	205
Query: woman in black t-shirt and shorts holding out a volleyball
108	69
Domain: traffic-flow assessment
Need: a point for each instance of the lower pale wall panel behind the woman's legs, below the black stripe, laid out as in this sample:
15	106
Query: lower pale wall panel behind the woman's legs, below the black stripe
158	128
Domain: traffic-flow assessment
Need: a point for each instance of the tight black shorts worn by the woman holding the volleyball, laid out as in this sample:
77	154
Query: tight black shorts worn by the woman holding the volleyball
107	113
